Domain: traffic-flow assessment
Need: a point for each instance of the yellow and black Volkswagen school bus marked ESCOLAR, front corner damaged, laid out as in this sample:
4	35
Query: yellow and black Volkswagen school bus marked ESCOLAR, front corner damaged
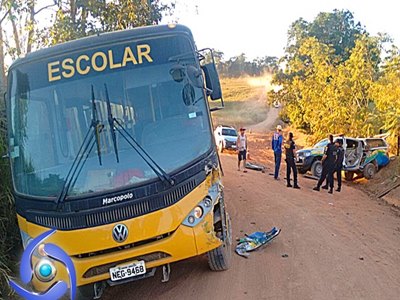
111	145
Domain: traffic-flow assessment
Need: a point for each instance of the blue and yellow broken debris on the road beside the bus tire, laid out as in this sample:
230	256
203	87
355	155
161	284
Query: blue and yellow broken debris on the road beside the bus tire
255	240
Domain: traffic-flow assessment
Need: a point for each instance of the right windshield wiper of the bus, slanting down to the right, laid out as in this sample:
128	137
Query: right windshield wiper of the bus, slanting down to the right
164	177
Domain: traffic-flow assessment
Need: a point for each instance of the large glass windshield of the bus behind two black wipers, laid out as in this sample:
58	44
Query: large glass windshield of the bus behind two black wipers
51	116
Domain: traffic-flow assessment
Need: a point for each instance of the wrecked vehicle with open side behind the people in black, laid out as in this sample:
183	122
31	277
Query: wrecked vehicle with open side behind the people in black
363	156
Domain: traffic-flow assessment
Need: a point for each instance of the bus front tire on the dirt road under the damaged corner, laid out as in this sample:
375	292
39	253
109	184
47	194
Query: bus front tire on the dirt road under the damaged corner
219	259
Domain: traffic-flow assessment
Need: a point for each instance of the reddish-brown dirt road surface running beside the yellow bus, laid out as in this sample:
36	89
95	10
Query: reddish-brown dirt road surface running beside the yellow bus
340	246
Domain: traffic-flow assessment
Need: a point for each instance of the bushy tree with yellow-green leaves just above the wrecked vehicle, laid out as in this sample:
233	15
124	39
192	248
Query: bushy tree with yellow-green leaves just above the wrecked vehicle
324	96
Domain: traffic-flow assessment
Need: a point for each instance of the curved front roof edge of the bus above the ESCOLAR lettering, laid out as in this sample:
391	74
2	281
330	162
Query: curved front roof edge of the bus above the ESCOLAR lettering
102	39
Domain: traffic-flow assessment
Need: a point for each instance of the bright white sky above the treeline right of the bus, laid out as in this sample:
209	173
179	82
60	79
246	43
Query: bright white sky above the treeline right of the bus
259	27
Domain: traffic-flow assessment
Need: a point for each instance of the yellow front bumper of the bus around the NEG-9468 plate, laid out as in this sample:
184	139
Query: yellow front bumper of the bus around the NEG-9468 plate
183	243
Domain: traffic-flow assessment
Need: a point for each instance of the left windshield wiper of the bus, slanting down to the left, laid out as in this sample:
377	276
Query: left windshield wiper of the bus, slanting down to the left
83	153
